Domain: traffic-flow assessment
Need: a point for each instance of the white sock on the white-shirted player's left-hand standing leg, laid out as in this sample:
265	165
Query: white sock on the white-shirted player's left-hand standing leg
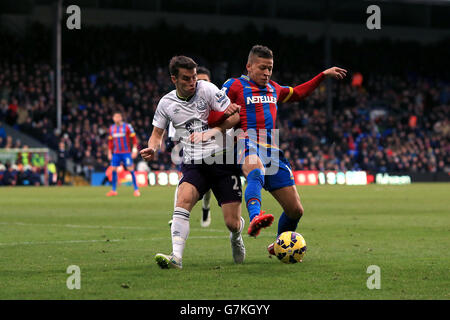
179	230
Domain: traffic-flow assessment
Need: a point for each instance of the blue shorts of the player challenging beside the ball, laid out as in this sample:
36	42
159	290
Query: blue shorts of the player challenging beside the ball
278	171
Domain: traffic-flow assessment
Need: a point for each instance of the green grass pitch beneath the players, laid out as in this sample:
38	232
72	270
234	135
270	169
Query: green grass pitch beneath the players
405	230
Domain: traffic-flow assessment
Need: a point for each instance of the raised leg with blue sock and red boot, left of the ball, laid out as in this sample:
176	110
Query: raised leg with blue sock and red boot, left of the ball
253	170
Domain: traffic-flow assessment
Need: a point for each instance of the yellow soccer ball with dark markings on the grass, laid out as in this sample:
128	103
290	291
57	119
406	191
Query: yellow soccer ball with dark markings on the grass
290	247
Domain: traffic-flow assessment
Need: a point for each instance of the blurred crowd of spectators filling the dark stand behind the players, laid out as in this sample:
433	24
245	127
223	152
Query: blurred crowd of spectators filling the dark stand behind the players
388	115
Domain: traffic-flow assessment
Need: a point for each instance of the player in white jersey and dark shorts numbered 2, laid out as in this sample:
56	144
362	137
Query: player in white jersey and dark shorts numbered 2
188	109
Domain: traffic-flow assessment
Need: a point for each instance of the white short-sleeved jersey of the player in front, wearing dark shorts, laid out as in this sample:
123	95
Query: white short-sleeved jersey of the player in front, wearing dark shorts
192	116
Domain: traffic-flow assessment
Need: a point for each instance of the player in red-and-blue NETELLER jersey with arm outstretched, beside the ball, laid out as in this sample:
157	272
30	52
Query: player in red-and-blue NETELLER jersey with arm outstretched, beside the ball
257	149
